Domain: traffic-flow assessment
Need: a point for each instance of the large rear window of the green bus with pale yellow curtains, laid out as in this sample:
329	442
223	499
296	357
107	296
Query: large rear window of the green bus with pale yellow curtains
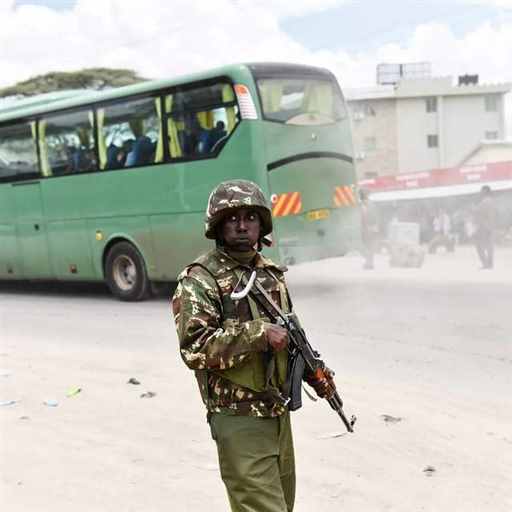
301	101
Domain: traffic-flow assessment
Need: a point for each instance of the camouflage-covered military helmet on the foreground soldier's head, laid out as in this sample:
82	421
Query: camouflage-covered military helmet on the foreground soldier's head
233	194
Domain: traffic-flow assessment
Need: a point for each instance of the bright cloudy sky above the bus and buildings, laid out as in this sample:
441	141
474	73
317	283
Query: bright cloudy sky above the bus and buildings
163	38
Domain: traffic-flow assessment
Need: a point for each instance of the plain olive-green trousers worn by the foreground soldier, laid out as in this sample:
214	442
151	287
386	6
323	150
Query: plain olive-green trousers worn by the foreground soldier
256	461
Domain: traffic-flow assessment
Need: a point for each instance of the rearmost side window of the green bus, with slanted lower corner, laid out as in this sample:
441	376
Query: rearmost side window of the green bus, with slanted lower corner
200	120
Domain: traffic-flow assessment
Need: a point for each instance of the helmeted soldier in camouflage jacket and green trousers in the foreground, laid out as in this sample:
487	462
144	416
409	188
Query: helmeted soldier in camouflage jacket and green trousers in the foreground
239	357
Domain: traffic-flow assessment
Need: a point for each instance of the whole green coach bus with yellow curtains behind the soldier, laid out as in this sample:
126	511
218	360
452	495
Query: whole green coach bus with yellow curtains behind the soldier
112	185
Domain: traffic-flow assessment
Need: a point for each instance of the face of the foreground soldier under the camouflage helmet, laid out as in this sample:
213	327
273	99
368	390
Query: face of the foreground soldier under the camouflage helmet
240	229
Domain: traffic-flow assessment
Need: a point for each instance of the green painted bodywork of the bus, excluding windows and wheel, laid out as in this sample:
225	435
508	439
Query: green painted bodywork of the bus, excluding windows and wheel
63	226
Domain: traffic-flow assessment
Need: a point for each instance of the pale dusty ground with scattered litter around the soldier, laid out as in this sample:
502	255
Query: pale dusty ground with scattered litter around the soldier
429	347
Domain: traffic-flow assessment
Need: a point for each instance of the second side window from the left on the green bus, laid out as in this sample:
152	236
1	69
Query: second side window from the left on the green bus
67	143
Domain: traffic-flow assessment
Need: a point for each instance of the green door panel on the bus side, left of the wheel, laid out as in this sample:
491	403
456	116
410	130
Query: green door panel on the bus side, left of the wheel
31	229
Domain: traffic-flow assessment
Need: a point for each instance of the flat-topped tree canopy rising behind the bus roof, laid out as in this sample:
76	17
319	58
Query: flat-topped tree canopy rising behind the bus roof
92	78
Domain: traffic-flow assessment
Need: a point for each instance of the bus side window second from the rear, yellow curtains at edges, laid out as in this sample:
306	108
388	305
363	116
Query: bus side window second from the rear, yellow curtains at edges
130	134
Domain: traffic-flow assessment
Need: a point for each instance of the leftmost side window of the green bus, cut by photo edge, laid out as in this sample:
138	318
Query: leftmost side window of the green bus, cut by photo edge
18	152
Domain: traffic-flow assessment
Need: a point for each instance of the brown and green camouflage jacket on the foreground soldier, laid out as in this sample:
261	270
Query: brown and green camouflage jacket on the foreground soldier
213	340
